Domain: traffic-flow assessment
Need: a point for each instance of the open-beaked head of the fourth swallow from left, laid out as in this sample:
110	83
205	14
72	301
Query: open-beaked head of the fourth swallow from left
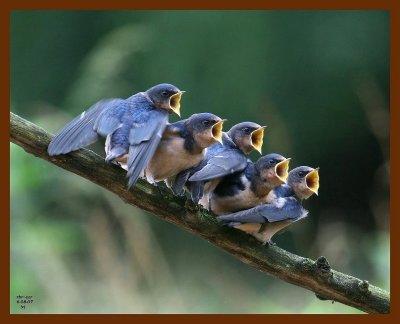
273	169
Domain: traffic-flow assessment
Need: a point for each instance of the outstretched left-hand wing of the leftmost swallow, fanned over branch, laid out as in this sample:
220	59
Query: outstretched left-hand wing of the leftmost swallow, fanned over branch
102	119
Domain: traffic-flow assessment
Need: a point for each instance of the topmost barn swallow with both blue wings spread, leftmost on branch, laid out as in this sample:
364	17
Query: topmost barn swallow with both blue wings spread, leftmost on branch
133	127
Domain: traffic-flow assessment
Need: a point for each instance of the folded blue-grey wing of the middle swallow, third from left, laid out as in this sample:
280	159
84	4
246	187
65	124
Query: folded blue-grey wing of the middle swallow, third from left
223	163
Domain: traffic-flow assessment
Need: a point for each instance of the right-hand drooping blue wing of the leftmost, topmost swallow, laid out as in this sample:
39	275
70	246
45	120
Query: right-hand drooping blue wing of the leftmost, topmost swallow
144	138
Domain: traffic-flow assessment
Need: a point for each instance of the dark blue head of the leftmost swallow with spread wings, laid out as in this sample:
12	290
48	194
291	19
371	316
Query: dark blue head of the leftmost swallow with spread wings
166	96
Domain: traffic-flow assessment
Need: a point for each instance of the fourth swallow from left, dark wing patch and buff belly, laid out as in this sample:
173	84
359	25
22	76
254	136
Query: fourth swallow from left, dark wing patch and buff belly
250	187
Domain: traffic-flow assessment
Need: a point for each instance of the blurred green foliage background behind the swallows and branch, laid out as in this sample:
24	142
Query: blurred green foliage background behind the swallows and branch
318	79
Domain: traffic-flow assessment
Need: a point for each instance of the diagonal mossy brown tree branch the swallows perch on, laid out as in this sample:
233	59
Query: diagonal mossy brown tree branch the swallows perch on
316	276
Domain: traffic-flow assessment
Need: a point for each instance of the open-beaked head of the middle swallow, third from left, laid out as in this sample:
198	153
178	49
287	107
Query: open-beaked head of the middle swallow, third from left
247	136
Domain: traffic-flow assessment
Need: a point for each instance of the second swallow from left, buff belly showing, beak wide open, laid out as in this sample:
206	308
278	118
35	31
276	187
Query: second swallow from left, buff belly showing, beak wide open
183	146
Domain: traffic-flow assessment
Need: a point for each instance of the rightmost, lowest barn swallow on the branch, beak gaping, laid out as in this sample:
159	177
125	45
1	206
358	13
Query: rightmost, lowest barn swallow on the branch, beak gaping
284	208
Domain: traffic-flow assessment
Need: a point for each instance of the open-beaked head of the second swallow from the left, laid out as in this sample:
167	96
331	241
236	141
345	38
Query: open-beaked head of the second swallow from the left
206	128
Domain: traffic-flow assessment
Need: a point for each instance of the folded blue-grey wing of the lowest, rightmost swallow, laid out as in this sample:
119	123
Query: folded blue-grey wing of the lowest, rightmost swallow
281	209
